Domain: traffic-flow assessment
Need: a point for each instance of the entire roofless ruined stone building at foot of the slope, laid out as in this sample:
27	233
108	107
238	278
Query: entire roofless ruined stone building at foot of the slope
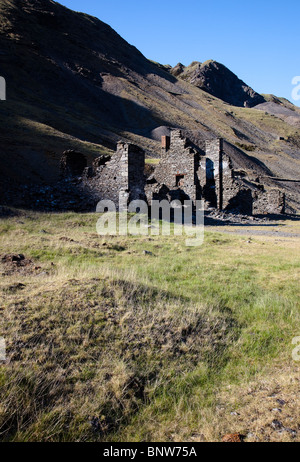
217	172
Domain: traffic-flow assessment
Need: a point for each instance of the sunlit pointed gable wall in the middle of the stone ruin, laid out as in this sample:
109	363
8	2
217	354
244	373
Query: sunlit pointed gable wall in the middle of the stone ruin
179	166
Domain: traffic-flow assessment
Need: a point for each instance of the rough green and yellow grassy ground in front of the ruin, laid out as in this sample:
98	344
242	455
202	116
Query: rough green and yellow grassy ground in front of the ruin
106	343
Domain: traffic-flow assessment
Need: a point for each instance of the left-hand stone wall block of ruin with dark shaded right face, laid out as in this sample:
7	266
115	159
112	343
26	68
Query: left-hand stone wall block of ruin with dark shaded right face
122	175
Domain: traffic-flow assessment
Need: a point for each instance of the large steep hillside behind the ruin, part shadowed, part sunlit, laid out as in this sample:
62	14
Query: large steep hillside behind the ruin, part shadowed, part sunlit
74	83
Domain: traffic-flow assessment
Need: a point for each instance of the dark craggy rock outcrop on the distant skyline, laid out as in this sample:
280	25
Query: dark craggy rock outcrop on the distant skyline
219	81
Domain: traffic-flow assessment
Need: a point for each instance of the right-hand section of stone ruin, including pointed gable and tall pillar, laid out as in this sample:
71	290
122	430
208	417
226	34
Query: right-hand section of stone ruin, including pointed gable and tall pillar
219	174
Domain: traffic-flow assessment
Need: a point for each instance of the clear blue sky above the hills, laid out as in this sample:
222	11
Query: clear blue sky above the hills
257	40
